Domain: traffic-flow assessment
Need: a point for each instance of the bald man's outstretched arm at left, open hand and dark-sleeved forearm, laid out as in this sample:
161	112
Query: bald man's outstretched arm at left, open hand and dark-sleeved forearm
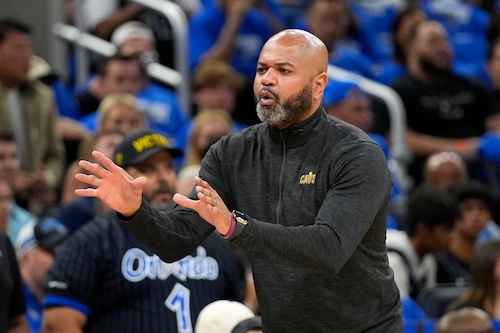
179	234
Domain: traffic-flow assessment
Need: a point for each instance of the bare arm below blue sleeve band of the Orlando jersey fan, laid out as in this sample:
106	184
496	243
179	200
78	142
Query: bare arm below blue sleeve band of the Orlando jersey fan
63	319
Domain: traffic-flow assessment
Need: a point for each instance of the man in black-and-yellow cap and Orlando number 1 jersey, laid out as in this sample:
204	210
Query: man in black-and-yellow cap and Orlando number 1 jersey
104	280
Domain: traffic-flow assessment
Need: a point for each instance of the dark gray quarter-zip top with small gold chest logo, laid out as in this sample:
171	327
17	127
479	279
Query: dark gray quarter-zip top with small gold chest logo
316	199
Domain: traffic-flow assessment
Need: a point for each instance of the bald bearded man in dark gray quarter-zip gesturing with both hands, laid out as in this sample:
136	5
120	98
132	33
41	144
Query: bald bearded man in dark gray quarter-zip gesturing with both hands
303	194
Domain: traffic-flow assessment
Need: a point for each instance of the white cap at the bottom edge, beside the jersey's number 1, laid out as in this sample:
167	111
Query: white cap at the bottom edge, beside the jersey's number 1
222	316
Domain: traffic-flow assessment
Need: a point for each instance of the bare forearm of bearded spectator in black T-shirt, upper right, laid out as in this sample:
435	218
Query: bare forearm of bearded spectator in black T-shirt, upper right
423	144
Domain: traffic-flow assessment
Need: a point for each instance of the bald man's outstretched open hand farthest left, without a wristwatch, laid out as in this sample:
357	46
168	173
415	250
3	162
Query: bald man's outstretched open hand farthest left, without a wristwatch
111	184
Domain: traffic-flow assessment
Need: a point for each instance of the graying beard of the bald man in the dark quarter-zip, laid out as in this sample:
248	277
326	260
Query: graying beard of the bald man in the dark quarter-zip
288	111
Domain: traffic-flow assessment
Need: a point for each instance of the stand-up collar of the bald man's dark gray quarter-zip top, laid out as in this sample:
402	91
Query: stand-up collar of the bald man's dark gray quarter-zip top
296	135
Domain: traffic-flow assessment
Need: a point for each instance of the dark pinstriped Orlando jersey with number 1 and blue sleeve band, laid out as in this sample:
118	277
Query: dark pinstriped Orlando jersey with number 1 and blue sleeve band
121	286
